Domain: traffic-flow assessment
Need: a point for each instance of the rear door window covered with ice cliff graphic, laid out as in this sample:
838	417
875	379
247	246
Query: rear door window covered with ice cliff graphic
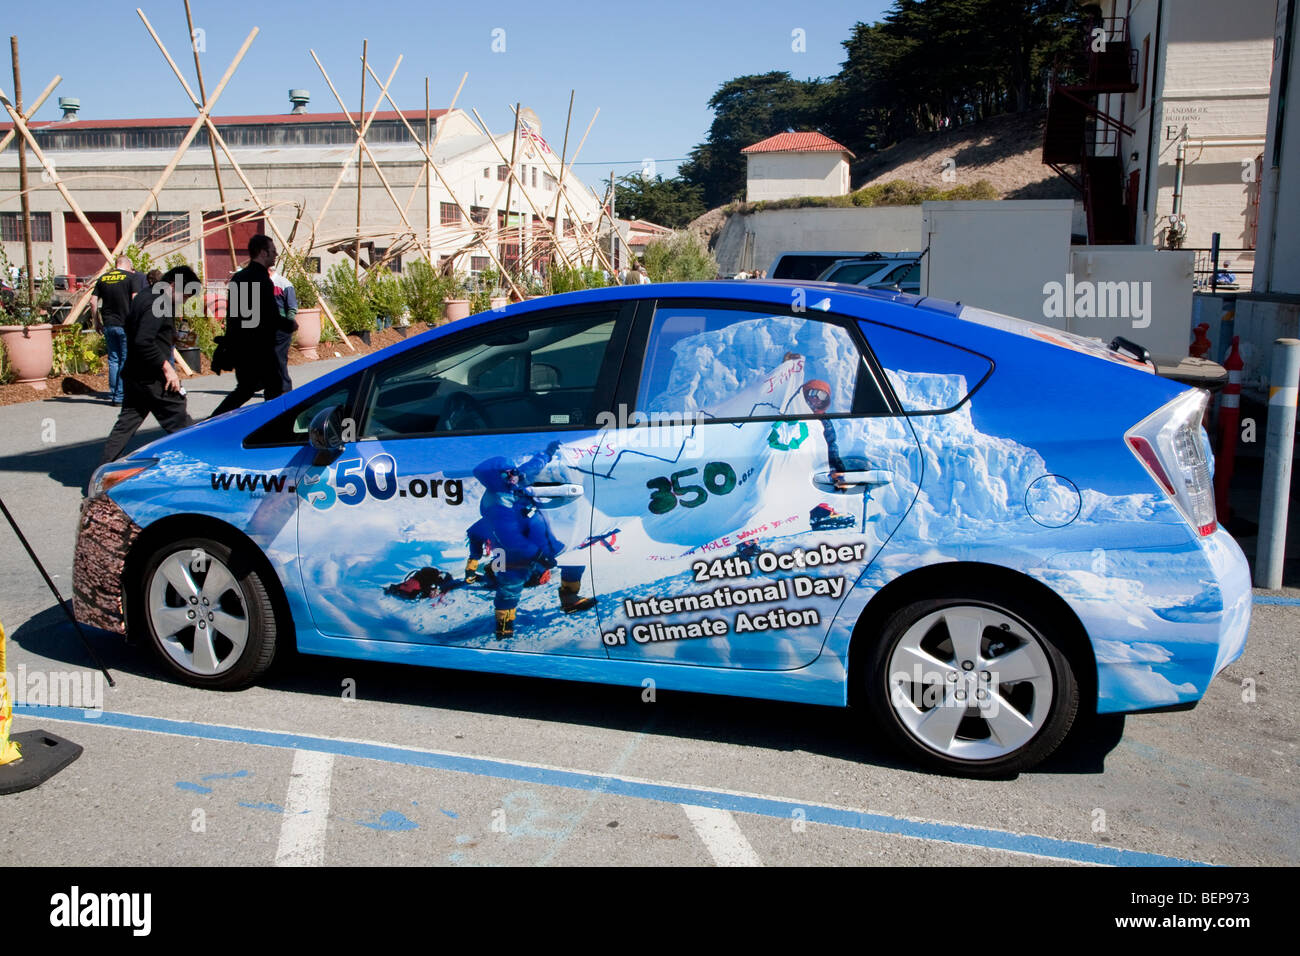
738	364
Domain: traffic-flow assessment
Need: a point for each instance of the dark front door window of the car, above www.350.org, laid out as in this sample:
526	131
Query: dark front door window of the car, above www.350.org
519	378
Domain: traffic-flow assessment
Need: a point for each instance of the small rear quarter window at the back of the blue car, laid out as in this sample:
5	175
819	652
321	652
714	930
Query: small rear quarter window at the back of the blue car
928	377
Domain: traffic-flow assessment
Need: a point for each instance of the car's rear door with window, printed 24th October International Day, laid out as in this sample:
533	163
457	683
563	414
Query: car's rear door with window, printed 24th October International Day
749	490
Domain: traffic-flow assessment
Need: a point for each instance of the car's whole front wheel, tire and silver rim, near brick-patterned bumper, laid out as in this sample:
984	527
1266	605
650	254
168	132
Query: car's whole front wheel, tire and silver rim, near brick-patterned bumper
210	615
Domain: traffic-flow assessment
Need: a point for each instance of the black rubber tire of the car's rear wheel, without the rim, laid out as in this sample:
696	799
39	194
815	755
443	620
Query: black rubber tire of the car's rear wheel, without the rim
1024	622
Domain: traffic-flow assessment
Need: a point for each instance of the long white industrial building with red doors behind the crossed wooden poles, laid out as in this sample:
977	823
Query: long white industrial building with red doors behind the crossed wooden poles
293	161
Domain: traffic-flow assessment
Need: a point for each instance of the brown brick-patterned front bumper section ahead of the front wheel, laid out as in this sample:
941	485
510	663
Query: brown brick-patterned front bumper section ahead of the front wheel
105	538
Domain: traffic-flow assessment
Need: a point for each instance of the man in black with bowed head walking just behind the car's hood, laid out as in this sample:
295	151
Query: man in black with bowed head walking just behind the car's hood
153	386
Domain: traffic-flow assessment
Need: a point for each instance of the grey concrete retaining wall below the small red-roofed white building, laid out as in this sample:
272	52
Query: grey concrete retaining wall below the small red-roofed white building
755	241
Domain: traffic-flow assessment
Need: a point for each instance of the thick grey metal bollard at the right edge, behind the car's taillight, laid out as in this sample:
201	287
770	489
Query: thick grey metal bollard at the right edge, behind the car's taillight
1284	386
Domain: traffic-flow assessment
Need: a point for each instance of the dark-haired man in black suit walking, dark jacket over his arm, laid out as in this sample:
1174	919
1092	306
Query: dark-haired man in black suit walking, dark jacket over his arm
253	321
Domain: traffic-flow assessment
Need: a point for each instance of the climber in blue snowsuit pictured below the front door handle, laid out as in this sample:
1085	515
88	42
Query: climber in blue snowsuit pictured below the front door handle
513	522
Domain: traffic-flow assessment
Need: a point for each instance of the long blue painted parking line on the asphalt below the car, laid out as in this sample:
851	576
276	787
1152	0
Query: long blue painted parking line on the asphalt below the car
981	838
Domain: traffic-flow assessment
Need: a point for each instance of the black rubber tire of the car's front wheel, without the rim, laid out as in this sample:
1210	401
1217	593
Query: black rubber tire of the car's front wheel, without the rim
258	608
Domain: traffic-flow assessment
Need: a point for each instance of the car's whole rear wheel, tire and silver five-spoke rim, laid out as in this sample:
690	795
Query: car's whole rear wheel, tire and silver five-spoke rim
972	686
